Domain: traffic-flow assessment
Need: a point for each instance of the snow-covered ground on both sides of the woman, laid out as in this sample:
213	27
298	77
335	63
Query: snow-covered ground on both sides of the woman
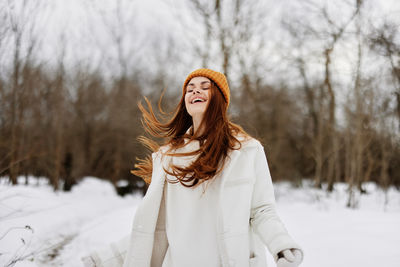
49	228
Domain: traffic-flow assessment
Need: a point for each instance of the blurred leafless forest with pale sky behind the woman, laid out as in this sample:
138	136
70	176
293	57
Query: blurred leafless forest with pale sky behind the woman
317	82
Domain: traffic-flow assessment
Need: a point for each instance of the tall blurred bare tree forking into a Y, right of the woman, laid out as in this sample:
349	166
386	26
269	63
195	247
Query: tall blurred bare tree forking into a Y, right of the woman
321	101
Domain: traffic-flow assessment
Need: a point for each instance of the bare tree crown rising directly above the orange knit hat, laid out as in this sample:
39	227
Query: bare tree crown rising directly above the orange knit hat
227	27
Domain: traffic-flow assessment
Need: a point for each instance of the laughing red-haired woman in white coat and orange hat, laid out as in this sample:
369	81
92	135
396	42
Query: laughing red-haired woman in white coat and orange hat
210	201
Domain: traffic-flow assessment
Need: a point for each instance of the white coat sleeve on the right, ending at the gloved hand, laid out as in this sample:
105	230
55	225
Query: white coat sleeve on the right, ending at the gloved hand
264	218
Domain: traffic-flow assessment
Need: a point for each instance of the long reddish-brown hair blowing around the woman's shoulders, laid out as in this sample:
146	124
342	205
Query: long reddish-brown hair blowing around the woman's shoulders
218	137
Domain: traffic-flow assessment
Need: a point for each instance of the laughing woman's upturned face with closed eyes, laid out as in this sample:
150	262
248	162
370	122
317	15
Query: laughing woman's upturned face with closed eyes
197	96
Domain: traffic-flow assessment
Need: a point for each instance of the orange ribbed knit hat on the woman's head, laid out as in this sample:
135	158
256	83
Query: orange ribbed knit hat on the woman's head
217	77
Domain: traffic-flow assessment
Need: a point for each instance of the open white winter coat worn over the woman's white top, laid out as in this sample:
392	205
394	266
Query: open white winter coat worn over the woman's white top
247	218
